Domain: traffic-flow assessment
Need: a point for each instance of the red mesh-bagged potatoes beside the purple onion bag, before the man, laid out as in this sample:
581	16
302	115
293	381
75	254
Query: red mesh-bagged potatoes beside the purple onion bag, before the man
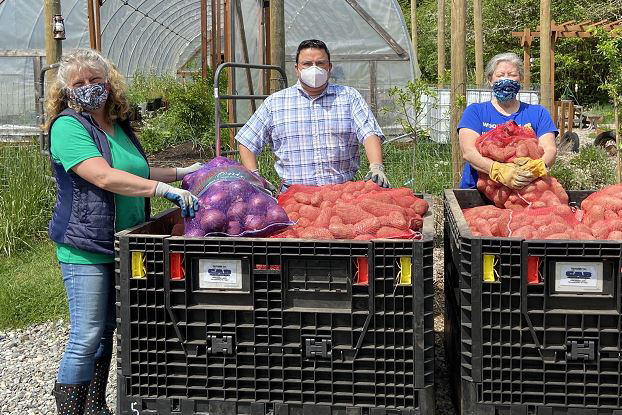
352	210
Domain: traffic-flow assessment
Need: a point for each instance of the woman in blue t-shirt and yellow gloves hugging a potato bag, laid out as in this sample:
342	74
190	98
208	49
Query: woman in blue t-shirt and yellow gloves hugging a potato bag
504	73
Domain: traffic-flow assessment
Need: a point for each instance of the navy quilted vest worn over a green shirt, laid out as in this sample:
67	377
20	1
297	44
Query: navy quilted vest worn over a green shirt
84	215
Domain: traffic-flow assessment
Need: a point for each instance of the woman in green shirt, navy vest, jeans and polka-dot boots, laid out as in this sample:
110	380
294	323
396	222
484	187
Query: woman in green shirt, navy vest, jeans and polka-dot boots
103	185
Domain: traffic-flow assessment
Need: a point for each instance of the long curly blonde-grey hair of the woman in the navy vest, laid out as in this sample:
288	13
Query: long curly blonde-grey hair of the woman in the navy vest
57	100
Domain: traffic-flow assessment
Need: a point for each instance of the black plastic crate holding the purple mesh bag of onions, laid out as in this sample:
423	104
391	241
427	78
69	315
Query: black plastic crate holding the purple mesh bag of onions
280	326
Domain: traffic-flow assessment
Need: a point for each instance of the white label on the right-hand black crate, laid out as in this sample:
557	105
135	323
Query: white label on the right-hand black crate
579	277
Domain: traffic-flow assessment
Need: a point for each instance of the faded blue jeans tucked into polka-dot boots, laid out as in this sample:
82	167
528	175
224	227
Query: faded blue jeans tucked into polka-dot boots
91	298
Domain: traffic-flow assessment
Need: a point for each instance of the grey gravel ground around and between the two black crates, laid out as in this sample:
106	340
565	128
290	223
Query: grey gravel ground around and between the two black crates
29	360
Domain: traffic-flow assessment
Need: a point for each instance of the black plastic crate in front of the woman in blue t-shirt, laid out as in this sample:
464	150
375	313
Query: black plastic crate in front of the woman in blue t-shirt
531	348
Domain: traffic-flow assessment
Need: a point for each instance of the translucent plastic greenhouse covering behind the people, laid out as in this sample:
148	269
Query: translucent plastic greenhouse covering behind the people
161	36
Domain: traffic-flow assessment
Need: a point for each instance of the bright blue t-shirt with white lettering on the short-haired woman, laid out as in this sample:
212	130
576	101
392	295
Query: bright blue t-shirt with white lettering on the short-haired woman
482	117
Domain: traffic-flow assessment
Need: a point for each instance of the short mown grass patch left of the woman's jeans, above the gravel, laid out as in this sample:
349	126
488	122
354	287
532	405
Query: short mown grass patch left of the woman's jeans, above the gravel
32	288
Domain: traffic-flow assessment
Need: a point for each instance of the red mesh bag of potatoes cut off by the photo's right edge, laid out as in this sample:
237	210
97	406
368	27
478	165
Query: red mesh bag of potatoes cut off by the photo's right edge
602	212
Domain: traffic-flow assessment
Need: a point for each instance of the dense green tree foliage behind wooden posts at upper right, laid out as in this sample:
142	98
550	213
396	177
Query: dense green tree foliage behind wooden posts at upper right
575	59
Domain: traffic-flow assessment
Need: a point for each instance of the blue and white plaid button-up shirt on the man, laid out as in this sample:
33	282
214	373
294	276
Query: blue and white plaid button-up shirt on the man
315	141
